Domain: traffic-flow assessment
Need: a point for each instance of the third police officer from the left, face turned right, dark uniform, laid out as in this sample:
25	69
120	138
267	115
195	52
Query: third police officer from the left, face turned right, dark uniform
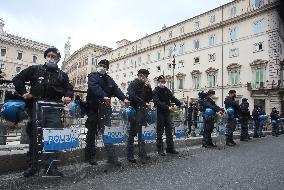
140	94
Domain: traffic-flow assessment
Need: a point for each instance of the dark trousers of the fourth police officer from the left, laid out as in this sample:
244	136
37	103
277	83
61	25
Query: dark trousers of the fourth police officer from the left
164	125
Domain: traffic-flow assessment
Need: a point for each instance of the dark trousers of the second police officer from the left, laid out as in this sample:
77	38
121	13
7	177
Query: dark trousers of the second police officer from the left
95	123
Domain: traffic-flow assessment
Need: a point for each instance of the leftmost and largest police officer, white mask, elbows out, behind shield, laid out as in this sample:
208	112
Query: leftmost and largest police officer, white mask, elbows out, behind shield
48	82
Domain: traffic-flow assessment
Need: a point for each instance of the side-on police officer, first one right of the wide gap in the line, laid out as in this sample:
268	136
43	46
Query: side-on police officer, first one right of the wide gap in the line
209	121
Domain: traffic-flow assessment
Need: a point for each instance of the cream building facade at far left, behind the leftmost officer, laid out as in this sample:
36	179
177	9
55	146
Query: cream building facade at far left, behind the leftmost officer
16	54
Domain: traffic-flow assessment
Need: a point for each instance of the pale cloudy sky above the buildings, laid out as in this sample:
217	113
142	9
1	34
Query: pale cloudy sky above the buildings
101	22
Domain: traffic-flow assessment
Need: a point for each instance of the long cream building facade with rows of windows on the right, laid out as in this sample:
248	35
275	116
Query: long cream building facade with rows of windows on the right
236	46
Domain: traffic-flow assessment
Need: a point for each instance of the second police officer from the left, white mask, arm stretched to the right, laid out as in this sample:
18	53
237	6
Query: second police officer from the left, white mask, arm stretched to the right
101	87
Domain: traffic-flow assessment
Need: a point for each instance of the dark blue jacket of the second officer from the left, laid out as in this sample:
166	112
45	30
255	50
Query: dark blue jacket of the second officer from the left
100	86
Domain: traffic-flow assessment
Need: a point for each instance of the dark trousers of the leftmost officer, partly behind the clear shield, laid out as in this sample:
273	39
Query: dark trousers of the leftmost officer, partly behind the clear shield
47	118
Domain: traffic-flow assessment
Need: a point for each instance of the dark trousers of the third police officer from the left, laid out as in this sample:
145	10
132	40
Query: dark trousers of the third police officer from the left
136	129
